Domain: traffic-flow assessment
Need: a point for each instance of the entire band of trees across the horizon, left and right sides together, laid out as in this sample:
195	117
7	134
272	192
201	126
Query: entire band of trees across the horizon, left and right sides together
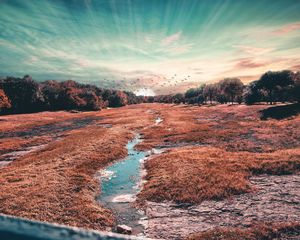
24	95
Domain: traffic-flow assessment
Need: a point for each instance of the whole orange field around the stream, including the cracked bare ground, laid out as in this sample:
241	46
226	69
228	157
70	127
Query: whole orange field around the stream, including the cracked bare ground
222	172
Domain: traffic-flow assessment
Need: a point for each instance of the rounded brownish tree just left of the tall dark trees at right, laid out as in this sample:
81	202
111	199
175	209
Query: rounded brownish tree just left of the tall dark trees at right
231	88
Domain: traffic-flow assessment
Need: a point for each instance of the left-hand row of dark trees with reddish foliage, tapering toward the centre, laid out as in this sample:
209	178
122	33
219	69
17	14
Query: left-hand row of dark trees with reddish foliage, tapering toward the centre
24	95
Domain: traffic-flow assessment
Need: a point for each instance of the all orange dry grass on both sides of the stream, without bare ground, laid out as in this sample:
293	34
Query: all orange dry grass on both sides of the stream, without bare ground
57	183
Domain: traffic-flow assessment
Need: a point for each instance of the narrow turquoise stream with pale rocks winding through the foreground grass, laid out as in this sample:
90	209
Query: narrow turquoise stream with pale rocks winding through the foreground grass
120	184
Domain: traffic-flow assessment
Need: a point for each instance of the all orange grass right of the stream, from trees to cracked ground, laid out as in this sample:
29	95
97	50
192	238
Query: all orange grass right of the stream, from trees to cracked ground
233	144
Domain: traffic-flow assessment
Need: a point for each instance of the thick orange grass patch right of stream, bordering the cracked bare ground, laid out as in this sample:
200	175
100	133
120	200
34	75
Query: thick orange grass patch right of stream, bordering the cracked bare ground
194	174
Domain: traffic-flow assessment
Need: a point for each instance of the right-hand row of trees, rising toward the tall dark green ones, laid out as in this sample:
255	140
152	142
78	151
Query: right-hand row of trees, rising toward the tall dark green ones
279	86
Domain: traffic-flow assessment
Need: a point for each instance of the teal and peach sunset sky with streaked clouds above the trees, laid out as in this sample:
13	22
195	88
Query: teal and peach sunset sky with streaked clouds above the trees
148	46
